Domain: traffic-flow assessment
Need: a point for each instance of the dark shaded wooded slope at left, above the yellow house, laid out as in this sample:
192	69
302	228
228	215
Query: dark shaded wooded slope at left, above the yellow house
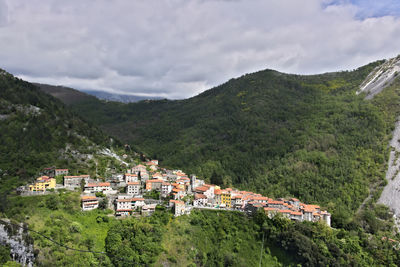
38	131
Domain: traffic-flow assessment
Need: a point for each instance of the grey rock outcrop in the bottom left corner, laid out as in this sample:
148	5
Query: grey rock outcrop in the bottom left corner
19	242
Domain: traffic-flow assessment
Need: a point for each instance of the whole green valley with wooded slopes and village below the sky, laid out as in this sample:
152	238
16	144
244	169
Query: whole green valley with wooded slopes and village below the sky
255	143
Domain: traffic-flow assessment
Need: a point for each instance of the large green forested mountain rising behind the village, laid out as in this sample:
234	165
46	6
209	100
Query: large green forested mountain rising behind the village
282	135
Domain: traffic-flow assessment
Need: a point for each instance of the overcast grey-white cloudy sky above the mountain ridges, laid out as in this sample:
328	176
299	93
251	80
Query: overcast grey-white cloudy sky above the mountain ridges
179	48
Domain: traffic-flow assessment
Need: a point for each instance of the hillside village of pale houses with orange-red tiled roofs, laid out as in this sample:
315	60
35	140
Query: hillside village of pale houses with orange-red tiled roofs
144	186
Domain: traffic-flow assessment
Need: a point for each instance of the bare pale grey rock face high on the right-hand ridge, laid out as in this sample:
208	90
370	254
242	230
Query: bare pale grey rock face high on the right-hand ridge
381	77
